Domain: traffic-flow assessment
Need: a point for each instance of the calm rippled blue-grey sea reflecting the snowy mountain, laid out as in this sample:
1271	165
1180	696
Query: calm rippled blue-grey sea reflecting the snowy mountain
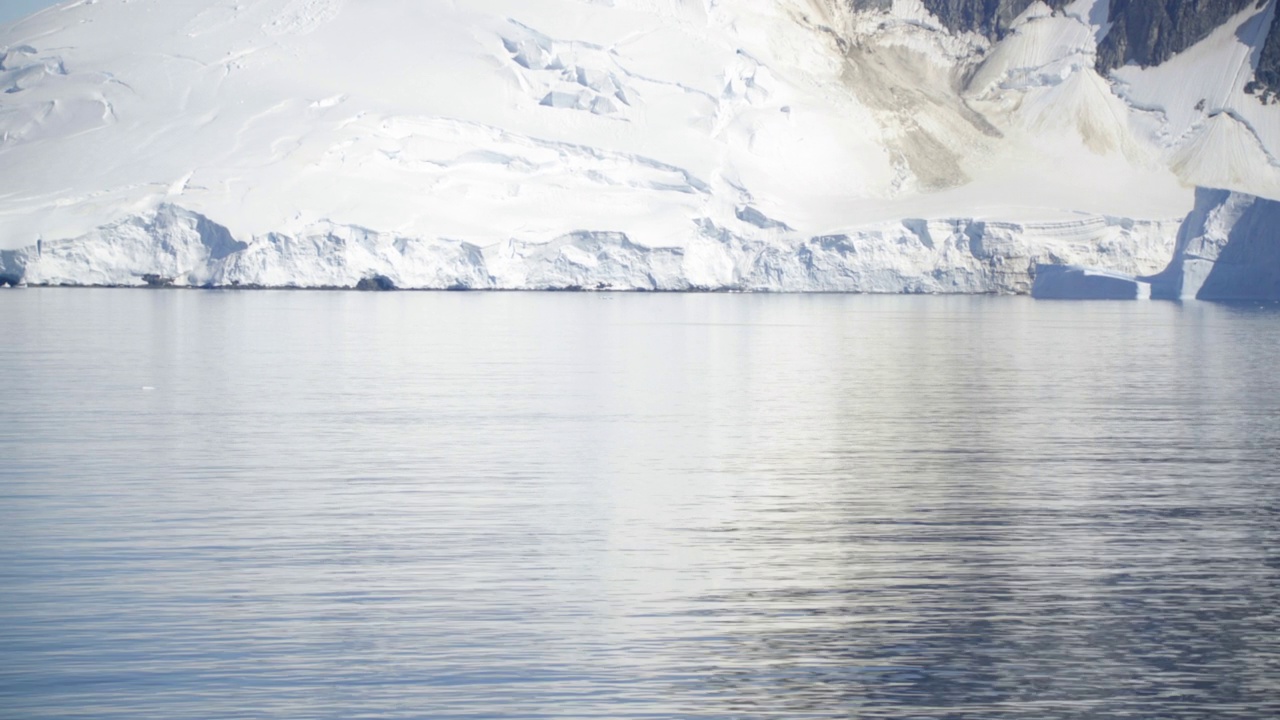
349	505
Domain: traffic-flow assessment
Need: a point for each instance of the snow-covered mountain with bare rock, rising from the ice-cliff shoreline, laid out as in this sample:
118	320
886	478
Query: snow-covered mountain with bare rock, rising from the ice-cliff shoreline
789	145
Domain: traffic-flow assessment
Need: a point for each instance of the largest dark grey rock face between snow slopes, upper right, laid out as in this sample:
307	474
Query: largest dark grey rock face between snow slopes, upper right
1149	33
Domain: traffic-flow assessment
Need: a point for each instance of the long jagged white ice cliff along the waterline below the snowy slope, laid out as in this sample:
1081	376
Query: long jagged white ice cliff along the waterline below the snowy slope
173	247
